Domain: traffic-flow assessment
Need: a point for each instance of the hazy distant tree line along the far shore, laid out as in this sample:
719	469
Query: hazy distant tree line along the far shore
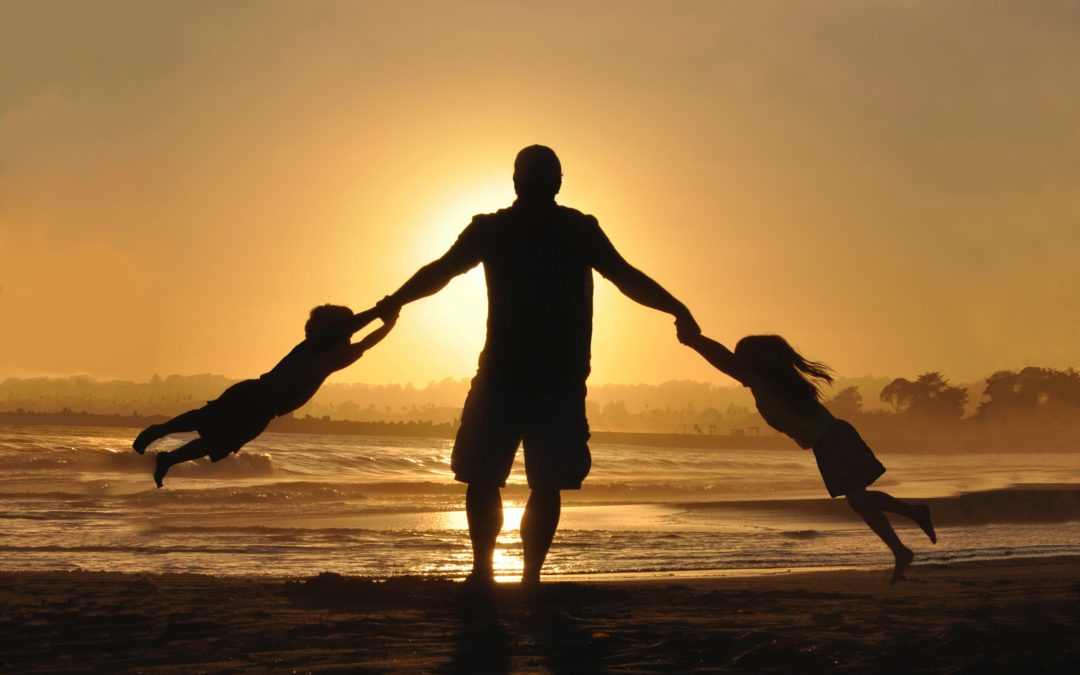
1034	397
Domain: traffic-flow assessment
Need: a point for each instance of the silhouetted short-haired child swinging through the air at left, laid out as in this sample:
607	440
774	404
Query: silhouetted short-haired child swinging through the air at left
245	410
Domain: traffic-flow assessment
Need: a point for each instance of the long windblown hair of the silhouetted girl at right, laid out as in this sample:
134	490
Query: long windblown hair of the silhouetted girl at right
772	357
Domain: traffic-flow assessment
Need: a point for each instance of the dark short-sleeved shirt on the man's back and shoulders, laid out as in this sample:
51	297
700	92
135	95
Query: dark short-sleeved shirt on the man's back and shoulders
538	262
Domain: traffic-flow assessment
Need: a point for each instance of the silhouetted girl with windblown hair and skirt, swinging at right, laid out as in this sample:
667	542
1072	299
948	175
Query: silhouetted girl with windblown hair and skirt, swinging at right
786	390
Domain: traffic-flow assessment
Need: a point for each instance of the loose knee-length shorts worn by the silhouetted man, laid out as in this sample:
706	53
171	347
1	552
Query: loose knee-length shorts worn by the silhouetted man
551	425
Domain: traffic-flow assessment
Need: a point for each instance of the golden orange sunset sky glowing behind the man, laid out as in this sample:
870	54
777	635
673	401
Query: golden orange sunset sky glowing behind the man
894	186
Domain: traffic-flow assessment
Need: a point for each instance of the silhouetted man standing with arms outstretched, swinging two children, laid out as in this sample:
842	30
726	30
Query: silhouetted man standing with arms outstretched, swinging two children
531	384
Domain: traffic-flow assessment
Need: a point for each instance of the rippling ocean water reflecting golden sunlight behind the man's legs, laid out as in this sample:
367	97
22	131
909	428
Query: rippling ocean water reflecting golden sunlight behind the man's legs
299	505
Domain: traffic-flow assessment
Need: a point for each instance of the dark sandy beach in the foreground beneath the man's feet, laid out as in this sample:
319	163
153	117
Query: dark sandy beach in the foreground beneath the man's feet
1009	616
